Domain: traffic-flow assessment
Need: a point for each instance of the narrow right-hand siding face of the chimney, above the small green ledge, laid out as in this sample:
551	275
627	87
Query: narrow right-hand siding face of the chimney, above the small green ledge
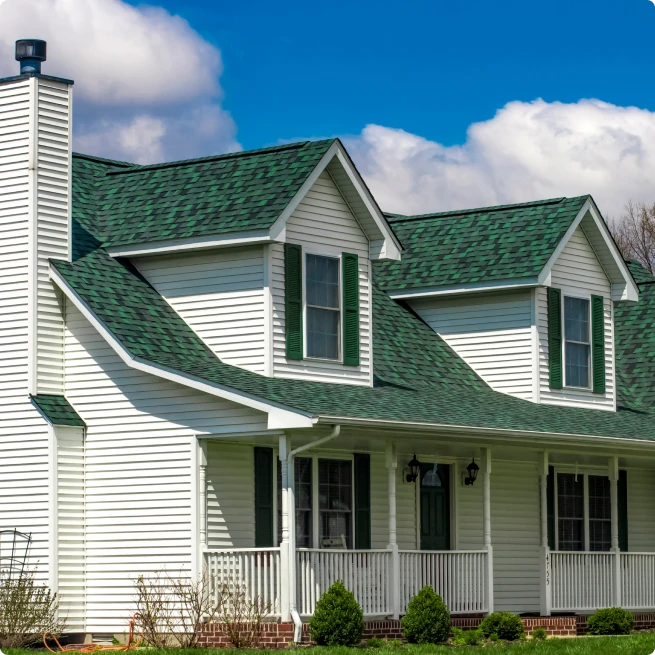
53	225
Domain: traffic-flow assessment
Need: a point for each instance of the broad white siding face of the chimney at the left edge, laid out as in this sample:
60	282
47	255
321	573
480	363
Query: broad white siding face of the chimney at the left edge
24	486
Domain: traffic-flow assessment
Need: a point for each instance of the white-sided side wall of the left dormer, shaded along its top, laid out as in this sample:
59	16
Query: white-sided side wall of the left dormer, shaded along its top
220	295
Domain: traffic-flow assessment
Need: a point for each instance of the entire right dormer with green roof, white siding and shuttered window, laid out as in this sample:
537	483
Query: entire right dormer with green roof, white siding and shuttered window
523	293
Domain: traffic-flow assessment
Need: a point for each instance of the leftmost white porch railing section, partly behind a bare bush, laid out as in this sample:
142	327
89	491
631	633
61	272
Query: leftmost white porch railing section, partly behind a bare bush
257	570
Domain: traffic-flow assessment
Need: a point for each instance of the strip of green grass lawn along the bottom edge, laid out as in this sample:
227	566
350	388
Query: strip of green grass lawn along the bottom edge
639	644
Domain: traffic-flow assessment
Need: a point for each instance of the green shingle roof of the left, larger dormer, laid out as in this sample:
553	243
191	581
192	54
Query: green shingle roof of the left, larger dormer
237	192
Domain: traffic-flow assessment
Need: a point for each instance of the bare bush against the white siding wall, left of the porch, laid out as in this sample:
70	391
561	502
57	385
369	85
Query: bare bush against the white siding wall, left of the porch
171	610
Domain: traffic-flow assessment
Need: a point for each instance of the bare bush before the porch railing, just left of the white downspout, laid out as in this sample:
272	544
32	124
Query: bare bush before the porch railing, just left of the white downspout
241	616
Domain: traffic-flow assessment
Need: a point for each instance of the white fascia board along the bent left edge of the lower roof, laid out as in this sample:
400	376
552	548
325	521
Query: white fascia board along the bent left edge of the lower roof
278	417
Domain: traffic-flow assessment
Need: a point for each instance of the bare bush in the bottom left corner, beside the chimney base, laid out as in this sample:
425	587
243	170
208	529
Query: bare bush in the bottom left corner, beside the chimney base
27	611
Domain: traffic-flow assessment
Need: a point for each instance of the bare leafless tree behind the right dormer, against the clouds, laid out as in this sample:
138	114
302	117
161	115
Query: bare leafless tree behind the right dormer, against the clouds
634	233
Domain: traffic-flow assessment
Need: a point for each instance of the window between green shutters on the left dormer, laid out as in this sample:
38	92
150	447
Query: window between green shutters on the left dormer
323	308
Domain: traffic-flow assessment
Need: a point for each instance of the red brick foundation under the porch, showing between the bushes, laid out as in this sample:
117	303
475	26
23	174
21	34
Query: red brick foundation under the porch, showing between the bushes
280	635
